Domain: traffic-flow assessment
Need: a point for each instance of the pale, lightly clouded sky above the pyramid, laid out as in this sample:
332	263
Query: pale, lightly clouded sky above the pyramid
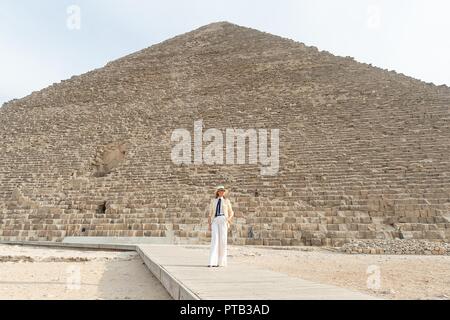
46	41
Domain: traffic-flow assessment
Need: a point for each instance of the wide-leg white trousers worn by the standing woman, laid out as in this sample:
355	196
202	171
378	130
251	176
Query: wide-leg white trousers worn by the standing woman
218	253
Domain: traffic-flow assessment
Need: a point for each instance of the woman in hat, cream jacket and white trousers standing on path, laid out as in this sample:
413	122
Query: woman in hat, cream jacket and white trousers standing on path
221	213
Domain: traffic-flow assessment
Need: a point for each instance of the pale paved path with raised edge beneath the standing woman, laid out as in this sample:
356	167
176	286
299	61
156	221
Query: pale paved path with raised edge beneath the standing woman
183	270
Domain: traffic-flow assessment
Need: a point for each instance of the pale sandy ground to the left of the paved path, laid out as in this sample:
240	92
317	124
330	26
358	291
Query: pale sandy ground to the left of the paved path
44	273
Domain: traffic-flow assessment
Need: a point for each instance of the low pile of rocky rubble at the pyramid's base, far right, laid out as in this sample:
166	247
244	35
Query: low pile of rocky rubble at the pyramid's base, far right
397	246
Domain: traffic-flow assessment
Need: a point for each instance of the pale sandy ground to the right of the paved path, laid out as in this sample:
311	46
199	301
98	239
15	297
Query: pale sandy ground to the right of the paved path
401	276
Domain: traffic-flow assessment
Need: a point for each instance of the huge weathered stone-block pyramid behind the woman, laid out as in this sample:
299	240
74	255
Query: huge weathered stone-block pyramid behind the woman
363	152
